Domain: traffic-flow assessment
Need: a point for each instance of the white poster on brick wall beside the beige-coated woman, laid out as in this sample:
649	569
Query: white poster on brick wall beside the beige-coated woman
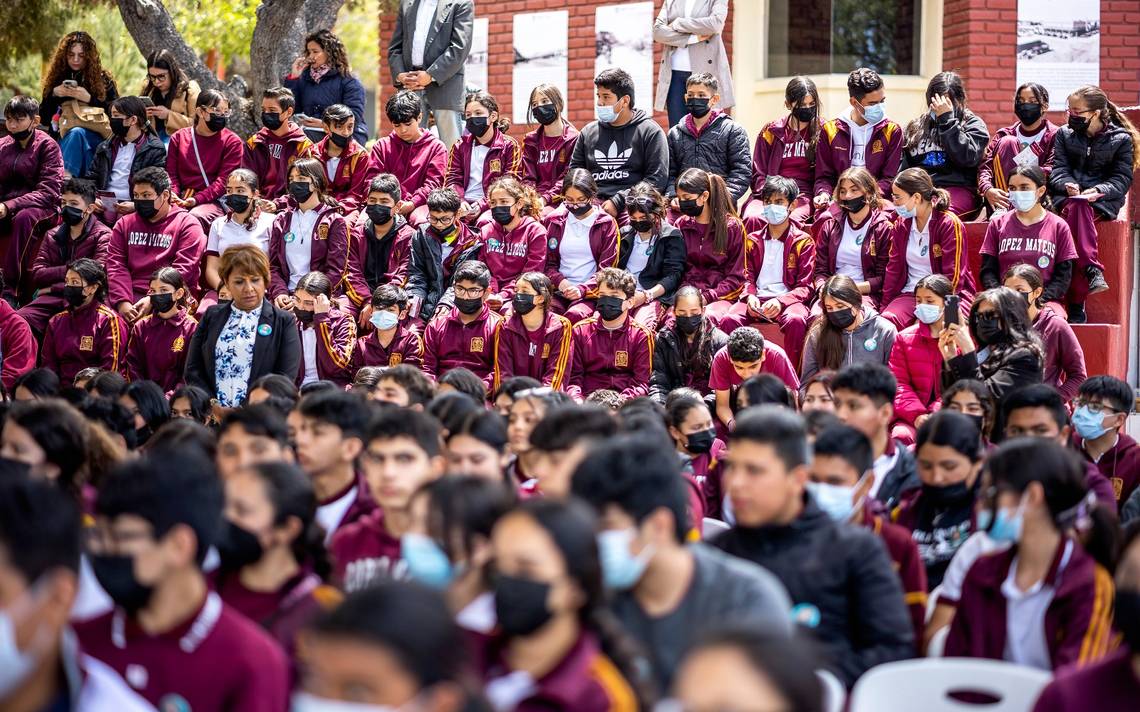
625	39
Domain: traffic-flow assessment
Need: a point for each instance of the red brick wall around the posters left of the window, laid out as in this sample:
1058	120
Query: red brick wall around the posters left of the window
501	60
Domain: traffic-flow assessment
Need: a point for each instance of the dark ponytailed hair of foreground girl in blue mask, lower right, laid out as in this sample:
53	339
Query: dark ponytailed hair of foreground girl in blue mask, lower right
1019	463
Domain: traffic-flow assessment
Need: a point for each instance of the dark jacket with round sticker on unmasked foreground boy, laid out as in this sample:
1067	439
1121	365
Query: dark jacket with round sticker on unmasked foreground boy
844	590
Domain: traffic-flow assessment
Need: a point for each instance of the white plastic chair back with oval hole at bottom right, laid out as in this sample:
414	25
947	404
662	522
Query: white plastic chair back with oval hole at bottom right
926	684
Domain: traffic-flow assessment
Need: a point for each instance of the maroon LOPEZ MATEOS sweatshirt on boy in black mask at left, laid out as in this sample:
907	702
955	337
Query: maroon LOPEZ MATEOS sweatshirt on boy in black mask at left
140	248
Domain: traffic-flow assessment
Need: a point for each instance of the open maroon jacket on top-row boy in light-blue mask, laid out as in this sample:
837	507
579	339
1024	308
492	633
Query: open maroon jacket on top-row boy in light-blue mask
834	154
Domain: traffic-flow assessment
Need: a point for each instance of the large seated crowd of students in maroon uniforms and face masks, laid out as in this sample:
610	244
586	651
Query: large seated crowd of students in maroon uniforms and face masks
498	427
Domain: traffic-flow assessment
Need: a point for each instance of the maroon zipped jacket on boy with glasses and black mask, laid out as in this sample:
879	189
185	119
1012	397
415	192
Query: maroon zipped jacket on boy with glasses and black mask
450	343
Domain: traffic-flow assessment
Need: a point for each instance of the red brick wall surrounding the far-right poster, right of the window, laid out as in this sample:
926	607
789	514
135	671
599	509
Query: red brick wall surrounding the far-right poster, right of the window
980	42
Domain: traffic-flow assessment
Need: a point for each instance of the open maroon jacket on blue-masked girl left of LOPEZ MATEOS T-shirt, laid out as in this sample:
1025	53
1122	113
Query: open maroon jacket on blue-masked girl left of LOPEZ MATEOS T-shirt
948	256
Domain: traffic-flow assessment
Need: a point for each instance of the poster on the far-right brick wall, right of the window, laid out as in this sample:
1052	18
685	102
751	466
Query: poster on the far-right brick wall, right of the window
1058	45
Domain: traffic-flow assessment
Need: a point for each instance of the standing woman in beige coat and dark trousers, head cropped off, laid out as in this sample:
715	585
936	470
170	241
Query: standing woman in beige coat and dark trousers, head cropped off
690	30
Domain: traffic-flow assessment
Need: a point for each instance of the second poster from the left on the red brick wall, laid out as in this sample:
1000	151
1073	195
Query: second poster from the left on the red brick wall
541	56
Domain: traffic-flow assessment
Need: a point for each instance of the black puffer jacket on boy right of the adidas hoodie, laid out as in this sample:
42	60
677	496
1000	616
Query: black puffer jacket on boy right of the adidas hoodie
722	149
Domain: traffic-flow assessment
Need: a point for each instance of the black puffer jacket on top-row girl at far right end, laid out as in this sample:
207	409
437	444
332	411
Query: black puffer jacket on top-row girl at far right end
1103	162
